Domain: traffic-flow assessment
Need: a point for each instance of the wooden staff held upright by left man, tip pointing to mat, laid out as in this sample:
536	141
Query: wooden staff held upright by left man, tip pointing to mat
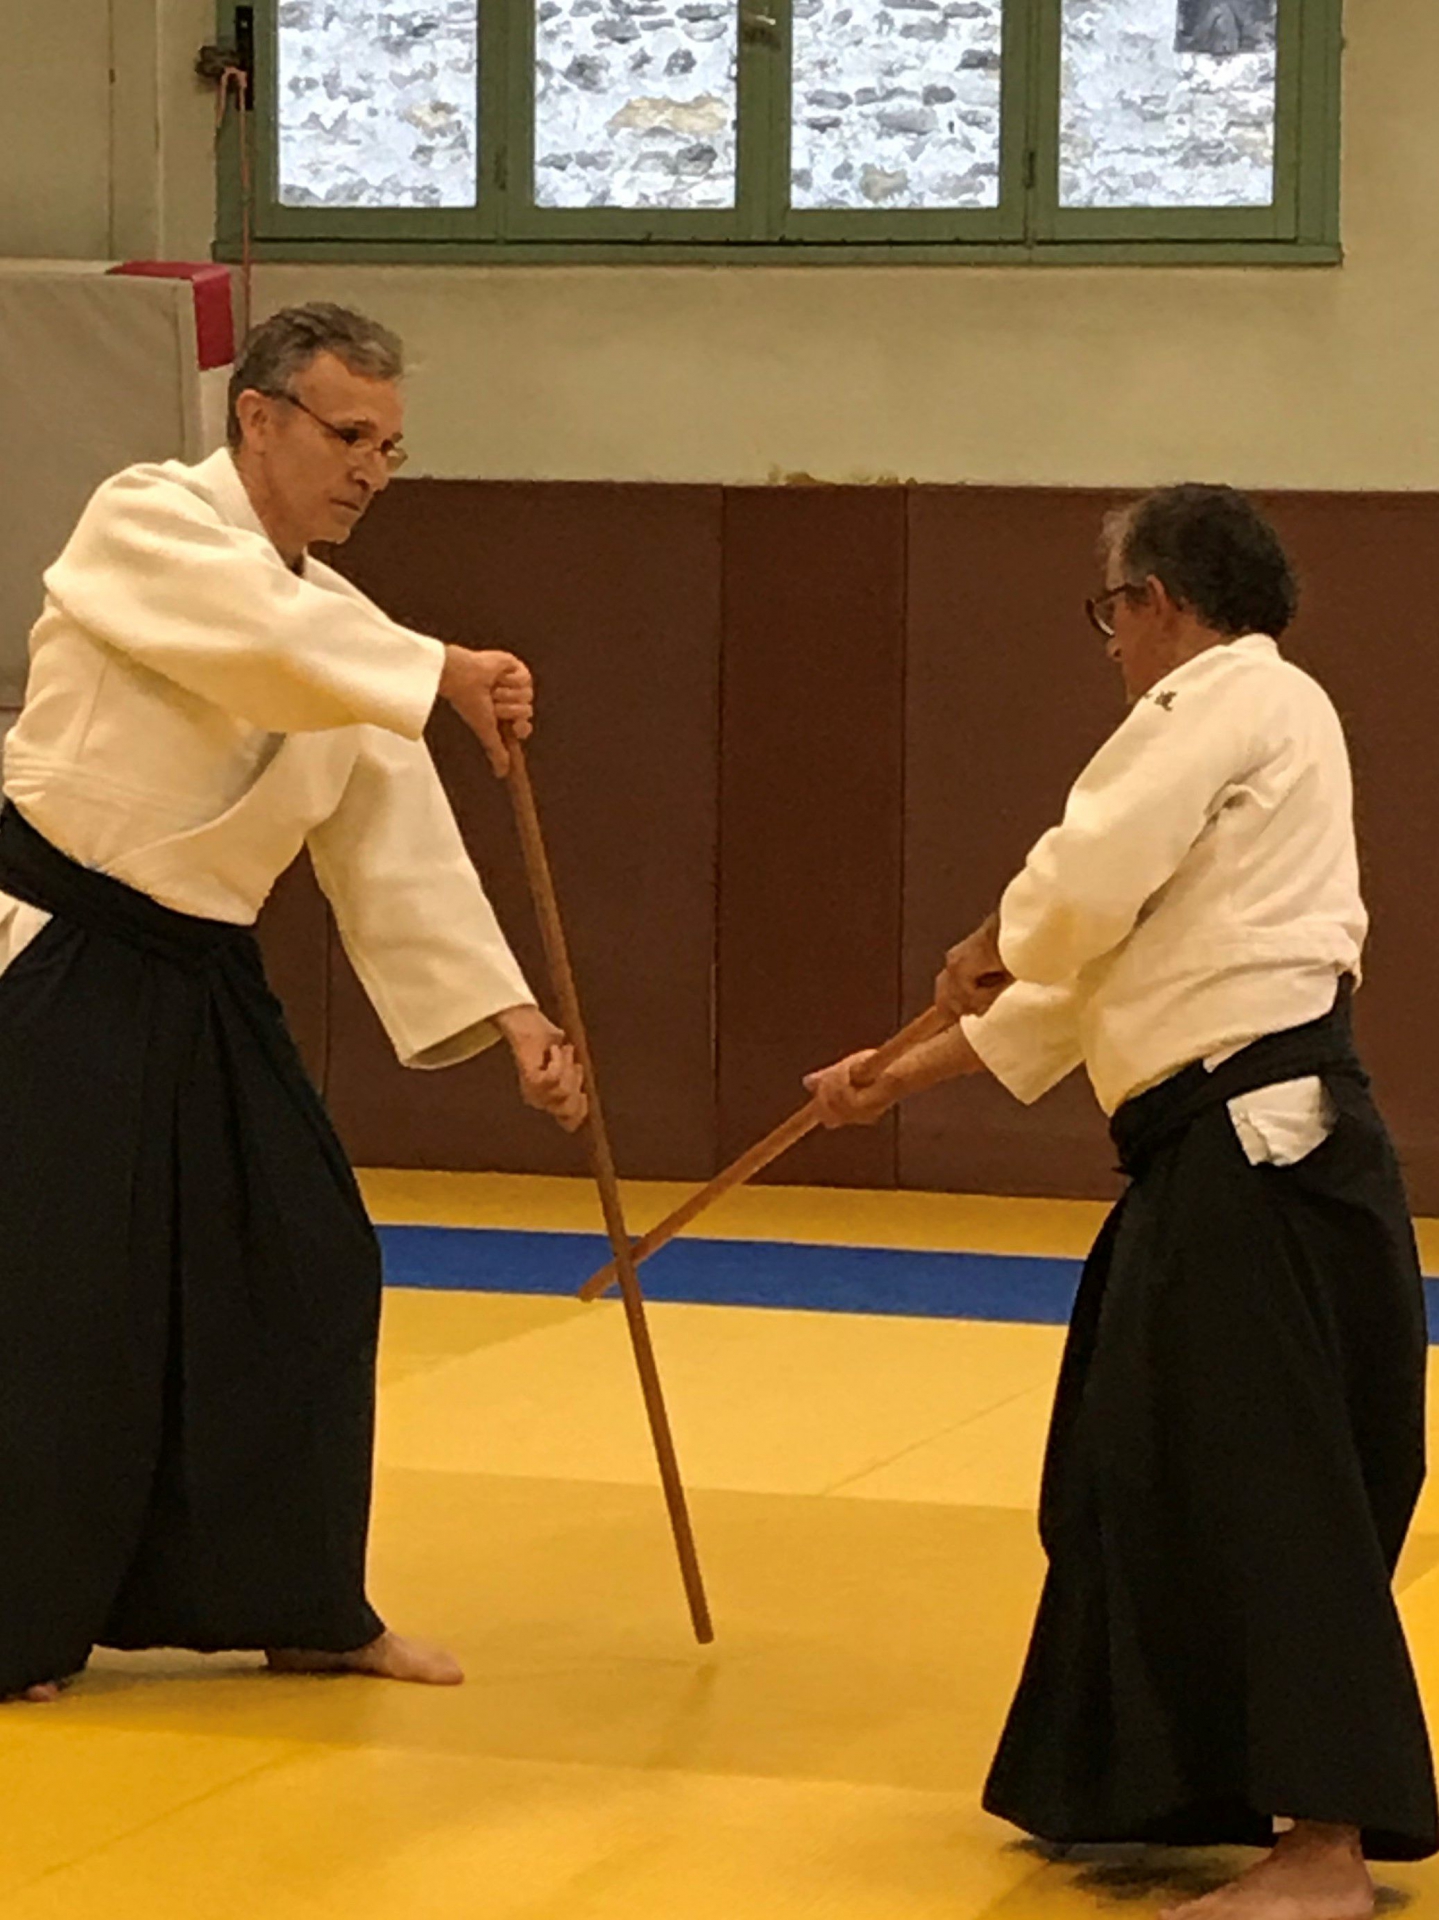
602	1164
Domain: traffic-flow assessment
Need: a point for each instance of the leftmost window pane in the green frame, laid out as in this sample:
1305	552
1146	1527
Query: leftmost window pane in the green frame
379	103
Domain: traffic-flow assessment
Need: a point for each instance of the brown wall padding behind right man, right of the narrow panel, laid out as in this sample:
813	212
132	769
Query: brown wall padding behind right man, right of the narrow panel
1010	694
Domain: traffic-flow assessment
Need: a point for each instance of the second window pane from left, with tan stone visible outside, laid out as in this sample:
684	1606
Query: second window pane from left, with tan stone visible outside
635	103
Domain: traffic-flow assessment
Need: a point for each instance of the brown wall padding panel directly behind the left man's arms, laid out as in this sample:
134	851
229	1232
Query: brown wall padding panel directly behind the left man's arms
614	598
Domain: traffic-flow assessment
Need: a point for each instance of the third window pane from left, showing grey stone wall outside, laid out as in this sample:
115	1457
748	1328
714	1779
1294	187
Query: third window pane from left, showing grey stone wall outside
896	105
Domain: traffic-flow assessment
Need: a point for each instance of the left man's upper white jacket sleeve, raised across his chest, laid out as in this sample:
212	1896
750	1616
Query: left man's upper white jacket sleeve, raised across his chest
159	575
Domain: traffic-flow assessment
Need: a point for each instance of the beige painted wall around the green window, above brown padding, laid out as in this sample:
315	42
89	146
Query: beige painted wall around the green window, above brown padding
1271	377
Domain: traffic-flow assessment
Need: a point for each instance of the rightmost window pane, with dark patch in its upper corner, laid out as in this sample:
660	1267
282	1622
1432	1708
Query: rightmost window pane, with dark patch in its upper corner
1167	105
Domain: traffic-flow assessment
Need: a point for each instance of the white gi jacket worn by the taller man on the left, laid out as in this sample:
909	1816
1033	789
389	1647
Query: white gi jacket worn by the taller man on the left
197	713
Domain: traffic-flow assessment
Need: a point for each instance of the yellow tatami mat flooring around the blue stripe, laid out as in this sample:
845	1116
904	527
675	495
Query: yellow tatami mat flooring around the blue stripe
864	1500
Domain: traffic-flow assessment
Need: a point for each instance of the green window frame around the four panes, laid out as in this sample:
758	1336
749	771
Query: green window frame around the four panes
1302	228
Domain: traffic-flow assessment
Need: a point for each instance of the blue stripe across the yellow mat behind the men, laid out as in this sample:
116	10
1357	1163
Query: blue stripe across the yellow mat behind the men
756	1274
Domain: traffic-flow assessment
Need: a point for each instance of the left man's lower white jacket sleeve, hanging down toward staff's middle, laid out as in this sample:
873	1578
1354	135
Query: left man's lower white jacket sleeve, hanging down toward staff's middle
412	911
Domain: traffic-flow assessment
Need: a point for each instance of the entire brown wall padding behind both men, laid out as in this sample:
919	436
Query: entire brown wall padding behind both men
908	688
